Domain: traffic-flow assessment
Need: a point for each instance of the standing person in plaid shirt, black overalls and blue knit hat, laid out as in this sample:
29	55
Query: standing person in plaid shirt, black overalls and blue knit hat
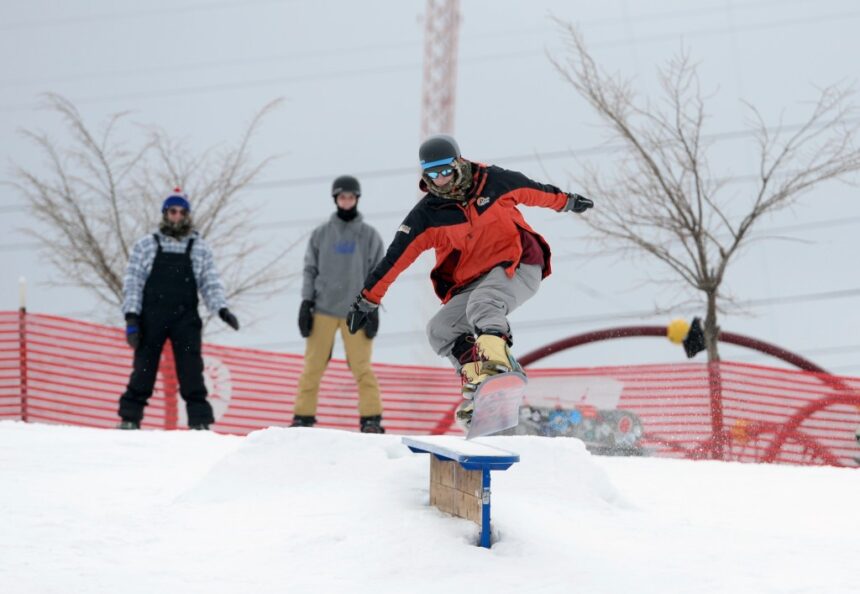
165	272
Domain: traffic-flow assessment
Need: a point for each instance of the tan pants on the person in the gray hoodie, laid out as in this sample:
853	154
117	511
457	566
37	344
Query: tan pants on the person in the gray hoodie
359	349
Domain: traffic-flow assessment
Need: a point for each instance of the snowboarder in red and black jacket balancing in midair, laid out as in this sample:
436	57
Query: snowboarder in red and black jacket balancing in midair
489	261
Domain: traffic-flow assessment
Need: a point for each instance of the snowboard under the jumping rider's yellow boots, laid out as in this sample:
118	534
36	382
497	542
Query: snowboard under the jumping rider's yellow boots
497	404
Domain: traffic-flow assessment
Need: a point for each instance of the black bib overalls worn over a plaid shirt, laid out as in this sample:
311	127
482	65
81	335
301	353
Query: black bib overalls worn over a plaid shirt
169	310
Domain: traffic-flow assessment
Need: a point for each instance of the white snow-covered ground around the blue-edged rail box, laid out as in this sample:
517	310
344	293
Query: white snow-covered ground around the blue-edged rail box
313	510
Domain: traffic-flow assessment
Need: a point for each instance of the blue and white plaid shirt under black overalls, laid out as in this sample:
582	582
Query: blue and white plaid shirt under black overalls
140	265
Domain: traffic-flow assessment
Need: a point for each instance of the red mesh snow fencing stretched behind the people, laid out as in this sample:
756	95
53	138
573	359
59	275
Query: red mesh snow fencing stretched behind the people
59	370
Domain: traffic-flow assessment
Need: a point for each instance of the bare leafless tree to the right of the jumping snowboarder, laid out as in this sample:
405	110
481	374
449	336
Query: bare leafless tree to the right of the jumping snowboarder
661	199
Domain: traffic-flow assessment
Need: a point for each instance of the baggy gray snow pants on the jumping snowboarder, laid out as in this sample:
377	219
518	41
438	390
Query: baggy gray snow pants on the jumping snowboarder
484	304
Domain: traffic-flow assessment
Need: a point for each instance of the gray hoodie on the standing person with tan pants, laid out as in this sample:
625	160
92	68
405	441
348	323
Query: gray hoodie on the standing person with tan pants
339	257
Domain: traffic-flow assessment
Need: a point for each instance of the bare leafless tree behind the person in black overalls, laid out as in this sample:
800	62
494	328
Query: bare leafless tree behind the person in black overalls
97	196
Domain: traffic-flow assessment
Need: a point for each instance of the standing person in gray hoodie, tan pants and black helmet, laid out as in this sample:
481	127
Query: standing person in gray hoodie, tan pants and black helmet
340	254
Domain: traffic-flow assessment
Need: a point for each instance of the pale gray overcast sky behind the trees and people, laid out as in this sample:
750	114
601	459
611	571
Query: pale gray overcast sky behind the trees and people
350	74
